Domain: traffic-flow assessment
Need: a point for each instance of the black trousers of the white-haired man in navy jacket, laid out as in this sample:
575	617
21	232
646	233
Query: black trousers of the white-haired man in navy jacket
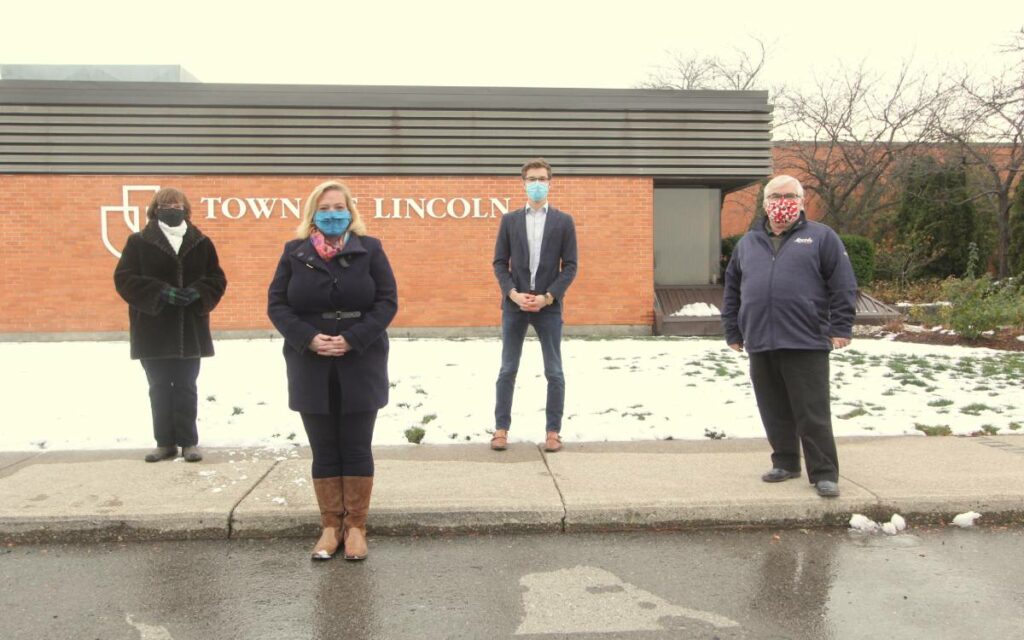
792	390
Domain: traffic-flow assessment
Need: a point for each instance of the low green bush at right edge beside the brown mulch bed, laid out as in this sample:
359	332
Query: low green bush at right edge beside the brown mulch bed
980	305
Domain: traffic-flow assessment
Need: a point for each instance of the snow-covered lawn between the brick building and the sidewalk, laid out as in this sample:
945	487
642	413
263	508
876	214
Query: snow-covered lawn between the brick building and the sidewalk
91	396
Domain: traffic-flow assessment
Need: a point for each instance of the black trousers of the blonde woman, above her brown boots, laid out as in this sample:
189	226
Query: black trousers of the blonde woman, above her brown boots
342	443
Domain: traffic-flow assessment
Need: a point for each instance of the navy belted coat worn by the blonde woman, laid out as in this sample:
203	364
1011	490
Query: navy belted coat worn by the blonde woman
305	289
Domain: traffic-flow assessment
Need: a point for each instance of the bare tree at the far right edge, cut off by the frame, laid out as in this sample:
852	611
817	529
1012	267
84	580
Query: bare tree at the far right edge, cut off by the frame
986	121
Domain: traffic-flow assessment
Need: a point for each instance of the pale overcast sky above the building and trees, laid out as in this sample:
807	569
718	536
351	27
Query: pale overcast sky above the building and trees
614	45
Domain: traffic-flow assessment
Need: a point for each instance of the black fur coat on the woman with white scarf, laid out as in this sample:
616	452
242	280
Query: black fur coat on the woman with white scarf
149	266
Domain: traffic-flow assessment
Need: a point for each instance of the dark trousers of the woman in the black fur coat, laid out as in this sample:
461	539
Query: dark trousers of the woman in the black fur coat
175	400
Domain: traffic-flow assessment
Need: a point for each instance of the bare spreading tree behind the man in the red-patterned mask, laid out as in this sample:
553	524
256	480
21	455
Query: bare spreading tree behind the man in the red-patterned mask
847	133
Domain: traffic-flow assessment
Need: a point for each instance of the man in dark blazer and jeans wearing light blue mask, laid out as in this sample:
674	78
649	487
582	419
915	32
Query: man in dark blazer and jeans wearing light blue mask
535	264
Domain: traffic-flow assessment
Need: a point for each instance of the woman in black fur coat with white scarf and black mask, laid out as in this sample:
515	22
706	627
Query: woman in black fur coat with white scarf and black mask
172	279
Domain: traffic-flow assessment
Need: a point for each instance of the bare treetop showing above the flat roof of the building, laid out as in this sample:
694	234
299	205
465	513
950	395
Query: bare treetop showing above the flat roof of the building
691	70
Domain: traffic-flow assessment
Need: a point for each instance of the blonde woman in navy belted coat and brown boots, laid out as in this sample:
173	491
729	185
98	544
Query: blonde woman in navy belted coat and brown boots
332	298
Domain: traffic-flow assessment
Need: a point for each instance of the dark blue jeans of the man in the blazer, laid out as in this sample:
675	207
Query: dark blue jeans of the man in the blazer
548	325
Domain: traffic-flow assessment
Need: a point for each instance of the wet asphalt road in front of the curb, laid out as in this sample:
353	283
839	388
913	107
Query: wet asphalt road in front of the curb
790	584
